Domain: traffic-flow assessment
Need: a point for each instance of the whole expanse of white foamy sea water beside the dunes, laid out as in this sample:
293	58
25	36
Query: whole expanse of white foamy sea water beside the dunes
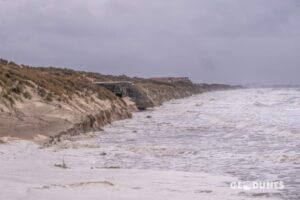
191	148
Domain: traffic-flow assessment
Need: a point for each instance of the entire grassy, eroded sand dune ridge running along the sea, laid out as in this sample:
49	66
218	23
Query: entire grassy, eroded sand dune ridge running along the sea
62	102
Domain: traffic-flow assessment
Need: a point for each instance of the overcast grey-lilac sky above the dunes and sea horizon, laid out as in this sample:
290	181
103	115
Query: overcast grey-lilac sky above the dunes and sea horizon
213	41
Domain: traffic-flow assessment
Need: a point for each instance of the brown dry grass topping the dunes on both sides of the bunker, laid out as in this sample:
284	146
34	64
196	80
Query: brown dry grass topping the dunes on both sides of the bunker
61	84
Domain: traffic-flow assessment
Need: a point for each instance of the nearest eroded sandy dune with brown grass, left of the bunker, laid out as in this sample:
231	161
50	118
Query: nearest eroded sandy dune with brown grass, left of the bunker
48	101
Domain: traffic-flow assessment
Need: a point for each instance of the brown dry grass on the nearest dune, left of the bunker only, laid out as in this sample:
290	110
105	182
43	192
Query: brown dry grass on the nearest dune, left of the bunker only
50	83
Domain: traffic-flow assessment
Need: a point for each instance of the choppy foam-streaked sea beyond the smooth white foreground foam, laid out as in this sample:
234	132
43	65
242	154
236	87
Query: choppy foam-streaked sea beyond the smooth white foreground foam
252	134
